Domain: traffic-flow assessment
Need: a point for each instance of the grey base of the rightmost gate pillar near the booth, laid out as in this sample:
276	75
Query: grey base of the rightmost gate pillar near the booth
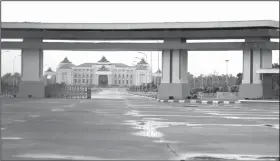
250	91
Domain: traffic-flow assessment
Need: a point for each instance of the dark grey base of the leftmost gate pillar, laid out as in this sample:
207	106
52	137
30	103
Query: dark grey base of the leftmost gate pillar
34	88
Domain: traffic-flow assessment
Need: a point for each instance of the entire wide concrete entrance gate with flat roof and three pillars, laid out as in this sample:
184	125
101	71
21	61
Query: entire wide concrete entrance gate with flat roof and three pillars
257	48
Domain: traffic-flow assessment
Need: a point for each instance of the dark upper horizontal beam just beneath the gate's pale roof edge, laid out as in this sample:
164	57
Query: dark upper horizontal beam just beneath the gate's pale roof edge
140	35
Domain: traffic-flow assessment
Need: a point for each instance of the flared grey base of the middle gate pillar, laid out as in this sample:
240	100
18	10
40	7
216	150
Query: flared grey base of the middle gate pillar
176	90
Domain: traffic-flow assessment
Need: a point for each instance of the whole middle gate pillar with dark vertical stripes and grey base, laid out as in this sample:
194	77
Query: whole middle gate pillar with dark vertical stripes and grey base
174	73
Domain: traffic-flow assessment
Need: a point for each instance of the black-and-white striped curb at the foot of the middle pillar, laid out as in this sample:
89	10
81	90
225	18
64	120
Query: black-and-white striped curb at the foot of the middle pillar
200	101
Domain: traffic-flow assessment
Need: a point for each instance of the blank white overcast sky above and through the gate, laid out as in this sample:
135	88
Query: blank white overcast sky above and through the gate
110	12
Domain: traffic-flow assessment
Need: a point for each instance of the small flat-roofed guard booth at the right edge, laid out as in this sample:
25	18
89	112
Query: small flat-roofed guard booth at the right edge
267	84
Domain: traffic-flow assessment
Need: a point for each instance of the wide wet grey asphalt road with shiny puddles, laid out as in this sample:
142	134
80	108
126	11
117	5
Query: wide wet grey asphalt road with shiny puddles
118	125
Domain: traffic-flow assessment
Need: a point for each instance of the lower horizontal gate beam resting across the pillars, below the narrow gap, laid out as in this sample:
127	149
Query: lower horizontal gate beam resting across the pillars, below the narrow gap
213	46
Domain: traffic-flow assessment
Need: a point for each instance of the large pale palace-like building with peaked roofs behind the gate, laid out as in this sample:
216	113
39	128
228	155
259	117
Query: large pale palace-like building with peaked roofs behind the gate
104	73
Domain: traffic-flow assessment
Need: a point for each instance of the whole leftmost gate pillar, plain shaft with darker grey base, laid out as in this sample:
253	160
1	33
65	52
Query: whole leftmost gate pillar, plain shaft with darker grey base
32	82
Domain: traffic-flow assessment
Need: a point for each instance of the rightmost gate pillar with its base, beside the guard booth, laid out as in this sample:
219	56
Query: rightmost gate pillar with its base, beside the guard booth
253	59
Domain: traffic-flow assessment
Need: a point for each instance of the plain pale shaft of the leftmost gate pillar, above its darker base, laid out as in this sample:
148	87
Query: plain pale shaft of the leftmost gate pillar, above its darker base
32	63
